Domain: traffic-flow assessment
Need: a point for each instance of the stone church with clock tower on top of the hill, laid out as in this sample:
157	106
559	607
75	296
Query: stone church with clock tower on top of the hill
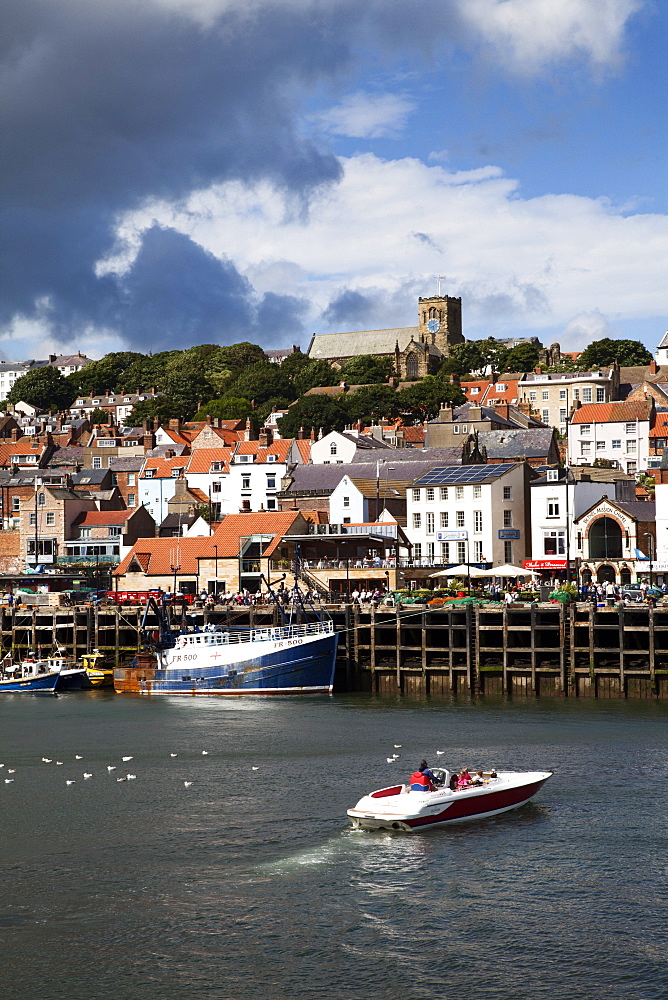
415	350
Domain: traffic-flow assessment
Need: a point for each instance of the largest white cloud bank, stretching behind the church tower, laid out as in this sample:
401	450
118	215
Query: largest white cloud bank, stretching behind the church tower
521	265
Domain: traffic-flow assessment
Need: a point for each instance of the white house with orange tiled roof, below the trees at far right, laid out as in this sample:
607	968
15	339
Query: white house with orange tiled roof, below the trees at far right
616	431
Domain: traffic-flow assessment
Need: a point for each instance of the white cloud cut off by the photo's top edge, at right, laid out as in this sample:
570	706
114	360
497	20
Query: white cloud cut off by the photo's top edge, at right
529	34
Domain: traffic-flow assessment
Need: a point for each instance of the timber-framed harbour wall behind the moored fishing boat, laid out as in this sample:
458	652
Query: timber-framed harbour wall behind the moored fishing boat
578	651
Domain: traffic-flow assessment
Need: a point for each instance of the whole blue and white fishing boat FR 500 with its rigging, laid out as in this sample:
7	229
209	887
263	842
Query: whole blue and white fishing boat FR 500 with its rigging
295	657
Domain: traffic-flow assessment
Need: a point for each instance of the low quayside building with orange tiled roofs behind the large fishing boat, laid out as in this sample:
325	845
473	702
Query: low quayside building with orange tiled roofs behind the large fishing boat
243	548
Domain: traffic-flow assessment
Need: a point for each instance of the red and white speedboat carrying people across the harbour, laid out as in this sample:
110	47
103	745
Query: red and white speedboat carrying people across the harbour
399	808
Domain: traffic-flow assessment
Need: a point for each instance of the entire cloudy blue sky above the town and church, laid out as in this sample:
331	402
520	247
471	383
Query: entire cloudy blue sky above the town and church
179	172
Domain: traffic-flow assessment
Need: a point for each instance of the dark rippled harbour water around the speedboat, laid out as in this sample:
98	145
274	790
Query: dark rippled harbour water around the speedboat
250	884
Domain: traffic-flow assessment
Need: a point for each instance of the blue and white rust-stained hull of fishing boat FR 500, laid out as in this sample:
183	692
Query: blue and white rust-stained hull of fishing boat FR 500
303	668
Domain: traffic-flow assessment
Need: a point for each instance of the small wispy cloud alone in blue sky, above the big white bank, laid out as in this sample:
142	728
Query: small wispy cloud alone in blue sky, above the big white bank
367	116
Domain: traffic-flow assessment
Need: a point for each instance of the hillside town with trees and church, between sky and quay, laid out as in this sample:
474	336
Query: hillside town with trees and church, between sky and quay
381	456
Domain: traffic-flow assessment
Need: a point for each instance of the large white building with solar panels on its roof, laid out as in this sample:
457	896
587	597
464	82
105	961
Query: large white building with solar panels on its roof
470	513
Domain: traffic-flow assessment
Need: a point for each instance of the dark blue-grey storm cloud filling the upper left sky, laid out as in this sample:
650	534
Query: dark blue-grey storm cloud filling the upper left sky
109	103
